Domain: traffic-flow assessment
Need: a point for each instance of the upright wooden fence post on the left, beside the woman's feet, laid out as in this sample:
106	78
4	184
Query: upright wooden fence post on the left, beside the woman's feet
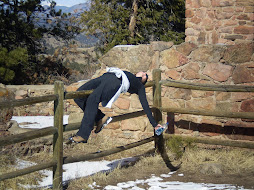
58	137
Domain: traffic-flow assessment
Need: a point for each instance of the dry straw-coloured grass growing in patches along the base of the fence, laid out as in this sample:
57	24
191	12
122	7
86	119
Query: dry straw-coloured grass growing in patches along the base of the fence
233	160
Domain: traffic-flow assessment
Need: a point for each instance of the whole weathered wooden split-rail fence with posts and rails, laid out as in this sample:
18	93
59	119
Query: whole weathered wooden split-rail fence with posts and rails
57	130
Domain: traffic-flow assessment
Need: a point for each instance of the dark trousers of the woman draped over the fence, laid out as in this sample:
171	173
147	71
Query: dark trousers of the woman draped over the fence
104	88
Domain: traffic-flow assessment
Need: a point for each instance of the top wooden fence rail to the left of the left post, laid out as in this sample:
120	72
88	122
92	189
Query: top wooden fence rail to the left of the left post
27	101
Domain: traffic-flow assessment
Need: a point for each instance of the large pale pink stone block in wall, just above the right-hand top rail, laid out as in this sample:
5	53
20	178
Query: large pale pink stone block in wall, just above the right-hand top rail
218	71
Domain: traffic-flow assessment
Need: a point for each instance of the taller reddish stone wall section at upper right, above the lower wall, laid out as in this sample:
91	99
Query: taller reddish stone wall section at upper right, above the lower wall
219	21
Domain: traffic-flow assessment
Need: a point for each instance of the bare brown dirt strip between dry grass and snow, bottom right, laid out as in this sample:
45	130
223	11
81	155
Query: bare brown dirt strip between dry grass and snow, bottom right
131	174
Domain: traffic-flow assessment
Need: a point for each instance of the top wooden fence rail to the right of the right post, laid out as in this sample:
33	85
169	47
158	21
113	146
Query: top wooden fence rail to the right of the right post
207	87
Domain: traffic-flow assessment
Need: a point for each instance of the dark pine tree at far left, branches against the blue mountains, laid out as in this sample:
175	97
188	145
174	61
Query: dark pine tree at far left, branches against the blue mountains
22	24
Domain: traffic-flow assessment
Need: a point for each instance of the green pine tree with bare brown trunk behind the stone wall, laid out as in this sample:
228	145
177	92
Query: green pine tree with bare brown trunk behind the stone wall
117	22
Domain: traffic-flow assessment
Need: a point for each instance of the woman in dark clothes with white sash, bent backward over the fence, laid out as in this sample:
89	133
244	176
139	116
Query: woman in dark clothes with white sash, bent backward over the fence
107	89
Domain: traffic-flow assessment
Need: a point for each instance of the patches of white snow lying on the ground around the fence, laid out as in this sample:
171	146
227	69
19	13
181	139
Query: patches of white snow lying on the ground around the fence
82	169
